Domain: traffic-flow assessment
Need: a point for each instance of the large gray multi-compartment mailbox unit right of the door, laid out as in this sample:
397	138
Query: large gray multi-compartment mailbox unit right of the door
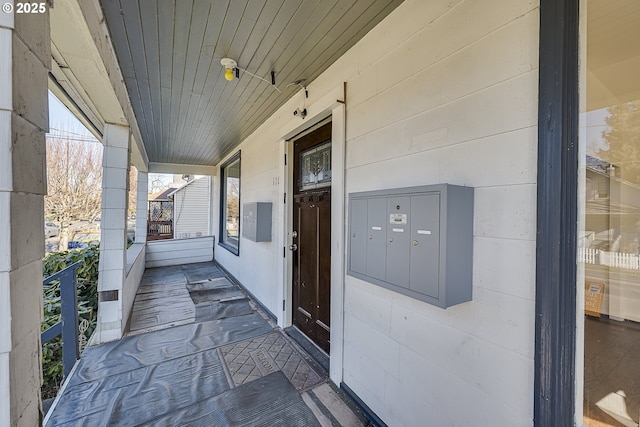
417	241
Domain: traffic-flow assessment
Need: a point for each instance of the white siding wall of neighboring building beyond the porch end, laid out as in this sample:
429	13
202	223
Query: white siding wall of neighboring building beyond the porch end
191	206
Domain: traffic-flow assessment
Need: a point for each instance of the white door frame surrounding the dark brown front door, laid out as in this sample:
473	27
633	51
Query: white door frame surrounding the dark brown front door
330	105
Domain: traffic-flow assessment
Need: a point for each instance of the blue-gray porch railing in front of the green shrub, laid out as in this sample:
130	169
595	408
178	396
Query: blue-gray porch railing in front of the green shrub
68	325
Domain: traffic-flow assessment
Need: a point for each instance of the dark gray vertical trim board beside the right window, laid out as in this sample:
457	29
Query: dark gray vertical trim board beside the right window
557	186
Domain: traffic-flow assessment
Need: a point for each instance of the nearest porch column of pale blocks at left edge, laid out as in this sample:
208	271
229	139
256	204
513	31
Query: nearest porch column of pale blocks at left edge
24	118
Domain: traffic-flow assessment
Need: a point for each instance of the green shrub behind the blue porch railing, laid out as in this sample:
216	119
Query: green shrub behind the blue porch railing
87	286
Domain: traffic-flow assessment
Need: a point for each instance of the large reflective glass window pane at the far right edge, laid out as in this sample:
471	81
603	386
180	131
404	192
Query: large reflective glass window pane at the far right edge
609	233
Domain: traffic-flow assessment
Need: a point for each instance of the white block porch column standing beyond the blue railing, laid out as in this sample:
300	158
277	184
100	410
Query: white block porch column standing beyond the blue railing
113	234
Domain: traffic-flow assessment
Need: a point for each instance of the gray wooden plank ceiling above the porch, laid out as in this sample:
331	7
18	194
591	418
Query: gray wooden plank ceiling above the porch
169	52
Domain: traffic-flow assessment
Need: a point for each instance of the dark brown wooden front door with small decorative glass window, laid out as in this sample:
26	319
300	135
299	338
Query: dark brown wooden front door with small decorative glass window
312	227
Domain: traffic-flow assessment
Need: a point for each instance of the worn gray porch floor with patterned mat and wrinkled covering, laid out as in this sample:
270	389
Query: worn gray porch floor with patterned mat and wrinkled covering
199	352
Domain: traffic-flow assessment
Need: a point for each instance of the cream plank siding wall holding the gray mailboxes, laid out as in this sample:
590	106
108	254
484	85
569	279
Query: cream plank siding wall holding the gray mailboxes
439	92
